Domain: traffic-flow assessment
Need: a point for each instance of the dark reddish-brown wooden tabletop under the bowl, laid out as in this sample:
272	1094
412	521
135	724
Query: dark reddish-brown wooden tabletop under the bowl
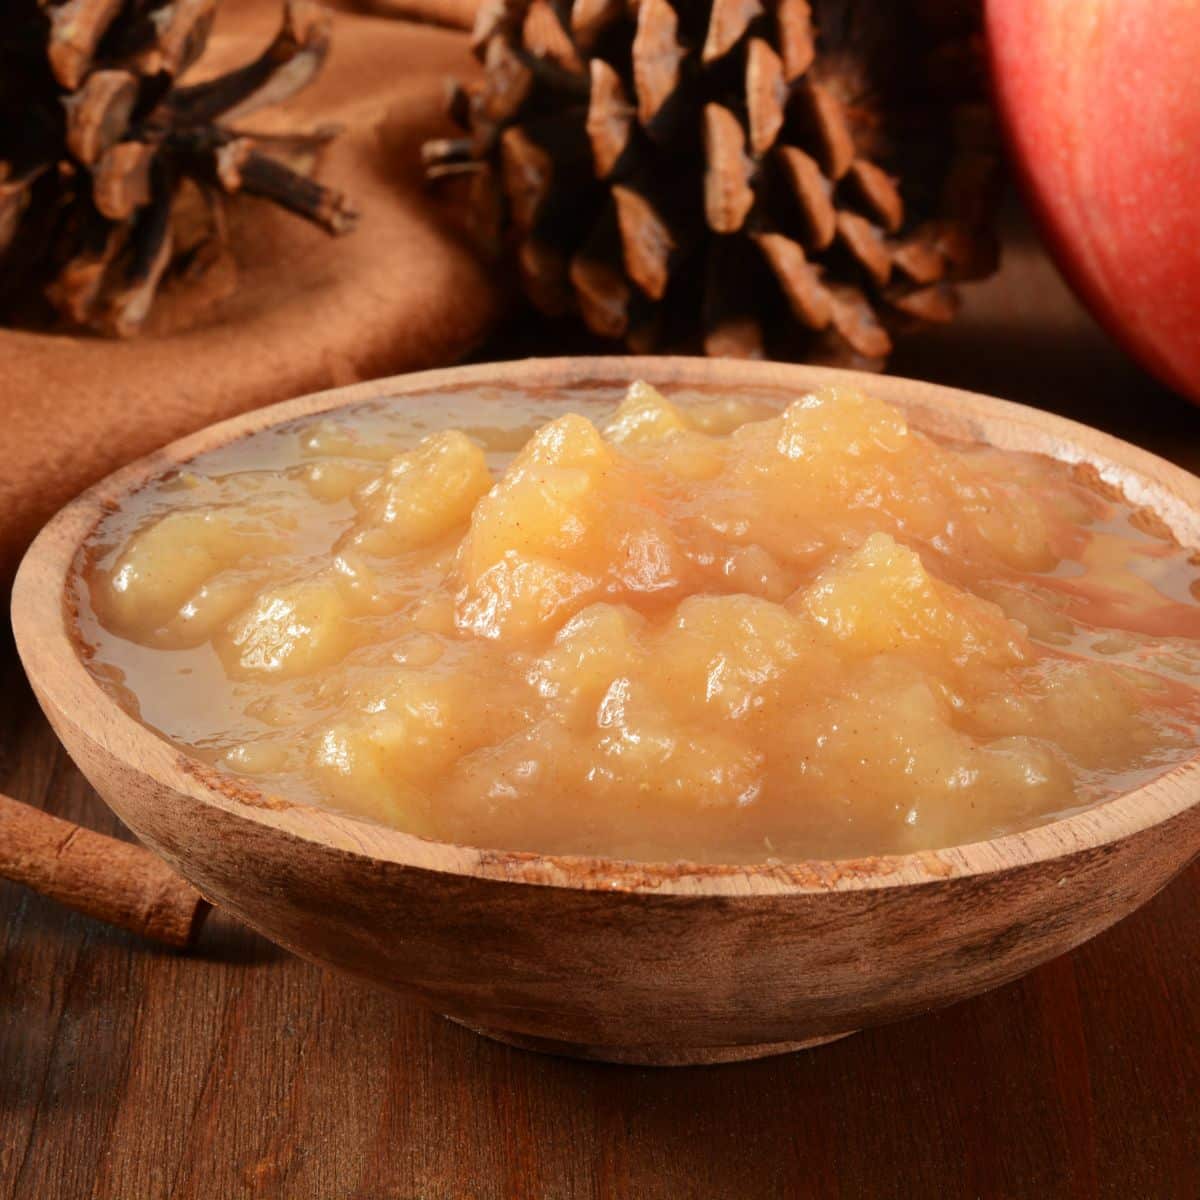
131	1073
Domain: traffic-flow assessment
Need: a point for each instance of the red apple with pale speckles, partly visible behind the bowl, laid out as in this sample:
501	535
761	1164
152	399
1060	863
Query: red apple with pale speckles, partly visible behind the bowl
1101	103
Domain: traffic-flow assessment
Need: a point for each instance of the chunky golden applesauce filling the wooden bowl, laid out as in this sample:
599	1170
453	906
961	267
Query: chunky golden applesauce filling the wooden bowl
713	628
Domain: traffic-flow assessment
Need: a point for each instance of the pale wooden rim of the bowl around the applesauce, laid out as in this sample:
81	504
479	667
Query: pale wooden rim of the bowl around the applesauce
51	651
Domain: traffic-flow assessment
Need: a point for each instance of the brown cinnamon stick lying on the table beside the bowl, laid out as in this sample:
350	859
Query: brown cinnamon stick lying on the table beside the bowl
110	880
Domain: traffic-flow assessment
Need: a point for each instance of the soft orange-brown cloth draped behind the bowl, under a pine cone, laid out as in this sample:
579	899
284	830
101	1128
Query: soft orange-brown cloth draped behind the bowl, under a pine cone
309	311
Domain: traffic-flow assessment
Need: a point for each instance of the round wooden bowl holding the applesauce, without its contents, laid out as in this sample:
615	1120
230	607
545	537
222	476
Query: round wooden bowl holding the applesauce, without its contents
617	961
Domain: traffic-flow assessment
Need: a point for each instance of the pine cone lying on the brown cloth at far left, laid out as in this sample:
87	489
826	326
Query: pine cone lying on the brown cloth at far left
112	173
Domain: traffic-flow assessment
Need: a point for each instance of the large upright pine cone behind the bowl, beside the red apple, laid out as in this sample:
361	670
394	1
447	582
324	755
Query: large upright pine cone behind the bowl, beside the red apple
742	175
